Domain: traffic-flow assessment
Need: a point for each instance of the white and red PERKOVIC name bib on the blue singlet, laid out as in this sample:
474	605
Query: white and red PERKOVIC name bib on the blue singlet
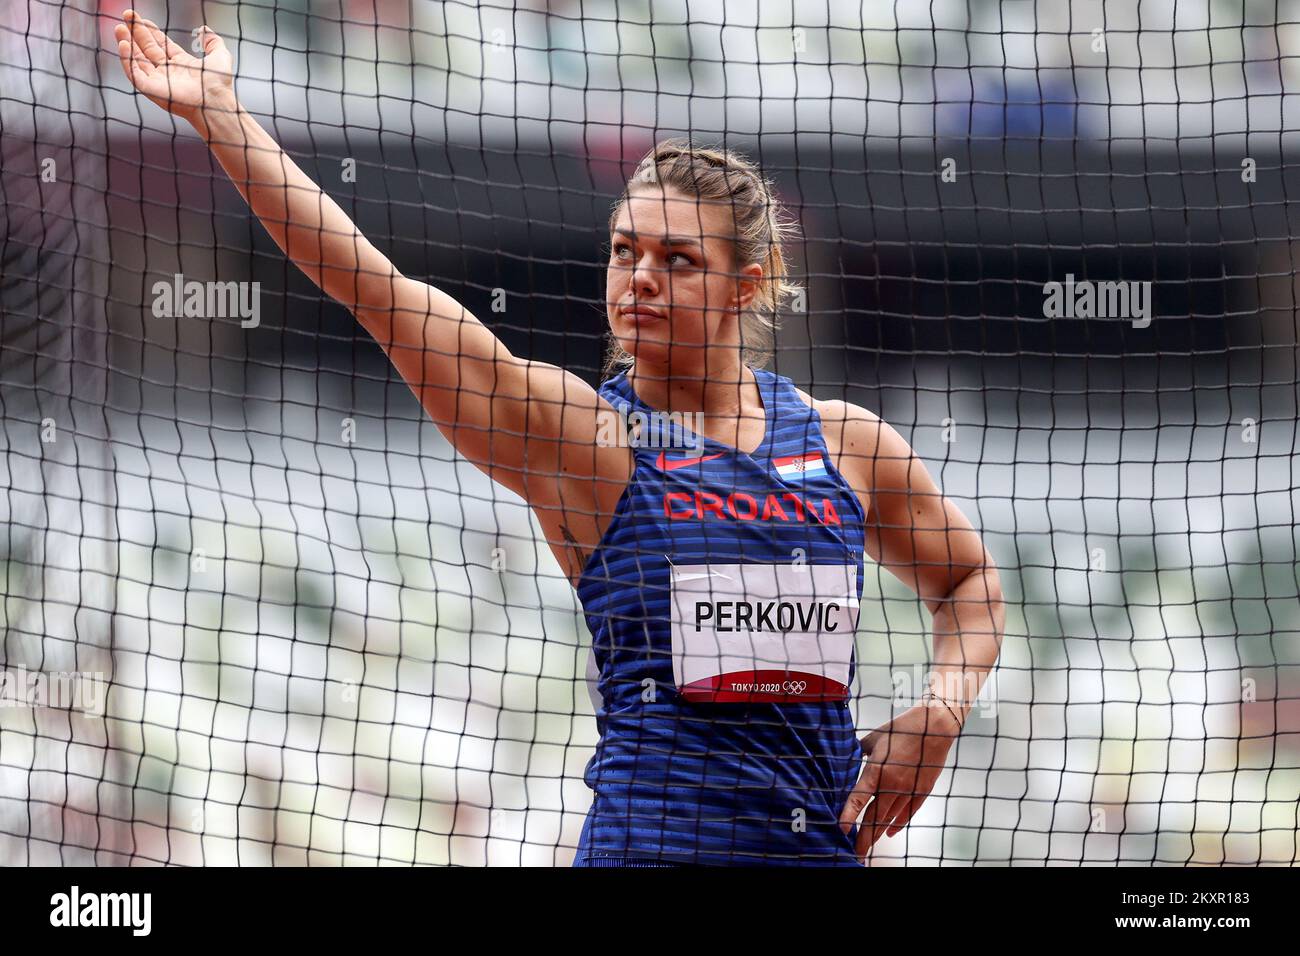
764	633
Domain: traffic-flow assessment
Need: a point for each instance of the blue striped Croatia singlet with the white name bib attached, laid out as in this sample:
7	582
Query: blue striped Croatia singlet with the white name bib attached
722	603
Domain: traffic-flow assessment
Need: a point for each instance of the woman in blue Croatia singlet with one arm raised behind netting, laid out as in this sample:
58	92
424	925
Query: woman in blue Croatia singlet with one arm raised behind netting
720	566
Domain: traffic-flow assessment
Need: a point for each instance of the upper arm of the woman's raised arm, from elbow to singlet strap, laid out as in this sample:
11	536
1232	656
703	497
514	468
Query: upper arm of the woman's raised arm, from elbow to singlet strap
527	425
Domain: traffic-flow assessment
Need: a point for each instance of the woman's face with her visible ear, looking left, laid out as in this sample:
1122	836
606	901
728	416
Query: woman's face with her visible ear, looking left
673	285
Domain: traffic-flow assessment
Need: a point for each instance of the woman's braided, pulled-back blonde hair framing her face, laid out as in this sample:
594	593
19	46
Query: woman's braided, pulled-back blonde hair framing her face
762	231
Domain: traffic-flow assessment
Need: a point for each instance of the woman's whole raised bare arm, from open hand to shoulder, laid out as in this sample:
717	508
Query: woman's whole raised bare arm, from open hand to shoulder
497	410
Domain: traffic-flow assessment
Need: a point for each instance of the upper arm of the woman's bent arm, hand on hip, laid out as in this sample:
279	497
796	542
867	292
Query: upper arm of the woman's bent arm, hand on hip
913	531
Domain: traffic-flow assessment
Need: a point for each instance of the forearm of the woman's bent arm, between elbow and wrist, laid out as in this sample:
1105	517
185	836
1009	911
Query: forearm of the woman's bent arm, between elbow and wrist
969	628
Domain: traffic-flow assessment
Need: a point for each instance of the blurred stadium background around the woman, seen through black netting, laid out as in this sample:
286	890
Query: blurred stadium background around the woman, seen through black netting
324	639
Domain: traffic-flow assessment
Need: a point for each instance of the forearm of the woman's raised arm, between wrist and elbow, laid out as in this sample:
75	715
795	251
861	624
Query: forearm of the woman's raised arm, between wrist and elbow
310	227
